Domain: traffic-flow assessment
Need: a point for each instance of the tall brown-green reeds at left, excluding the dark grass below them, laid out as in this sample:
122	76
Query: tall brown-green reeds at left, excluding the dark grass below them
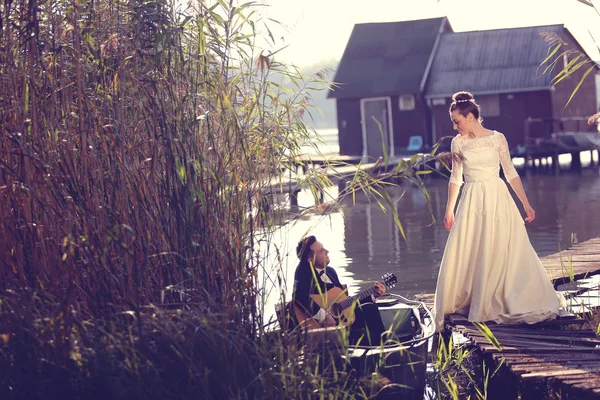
136	141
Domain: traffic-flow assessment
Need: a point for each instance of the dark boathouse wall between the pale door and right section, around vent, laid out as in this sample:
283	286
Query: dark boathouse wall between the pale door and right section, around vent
410	123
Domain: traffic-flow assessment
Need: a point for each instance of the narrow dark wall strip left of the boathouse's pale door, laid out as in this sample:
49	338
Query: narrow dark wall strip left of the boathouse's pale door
349	127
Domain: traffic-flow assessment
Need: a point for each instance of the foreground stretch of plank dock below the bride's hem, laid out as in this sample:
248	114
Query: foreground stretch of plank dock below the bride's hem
548	356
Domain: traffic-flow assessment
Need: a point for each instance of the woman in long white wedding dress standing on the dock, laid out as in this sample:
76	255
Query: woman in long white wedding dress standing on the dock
489	271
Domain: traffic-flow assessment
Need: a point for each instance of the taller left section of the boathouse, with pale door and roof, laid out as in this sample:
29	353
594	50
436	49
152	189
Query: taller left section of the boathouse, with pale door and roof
382	75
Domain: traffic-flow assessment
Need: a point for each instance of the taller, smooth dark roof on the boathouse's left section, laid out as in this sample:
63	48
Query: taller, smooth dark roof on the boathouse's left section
386	58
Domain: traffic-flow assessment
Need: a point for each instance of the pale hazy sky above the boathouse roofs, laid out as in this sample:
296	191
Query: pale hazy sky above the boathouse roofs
317	30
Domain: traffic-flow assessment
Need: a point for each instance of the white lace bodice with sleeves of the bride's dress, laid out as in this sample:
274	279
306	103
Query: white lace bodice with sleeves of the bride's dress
479	159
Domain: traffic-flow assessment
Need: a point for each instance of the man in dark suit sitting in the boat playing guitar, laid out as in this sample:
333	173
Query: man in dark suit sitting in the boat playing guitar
308	295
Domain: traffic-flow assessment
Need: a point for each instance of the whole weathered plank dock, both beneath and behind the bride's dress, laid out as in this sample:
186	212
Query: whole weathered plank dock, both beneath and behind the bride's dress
560	356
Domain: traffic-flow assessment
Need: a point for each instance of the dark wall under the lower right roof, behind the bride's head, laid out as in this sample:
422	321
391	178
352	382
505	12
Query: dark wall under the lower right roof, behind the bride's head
513	113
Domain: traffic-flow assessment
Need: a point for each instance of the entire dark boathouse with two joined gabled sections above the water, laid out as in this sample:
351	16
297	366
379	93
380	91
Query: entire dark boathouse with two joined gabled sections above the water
396	79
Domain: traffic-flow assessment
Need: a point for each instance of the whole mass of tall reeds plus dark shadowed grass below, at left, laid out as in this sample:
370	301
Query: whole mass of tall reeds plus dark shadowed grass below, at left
139	140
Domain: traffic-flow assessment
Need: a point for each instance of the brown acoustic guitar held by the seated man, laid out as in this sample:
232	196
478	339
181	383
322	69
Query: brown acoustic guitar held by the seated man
337	303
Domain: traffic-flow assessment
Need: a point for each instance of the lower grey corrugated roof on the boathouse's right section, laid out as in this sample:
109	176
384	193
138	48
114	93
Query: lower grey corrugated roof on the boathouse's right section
496	61
